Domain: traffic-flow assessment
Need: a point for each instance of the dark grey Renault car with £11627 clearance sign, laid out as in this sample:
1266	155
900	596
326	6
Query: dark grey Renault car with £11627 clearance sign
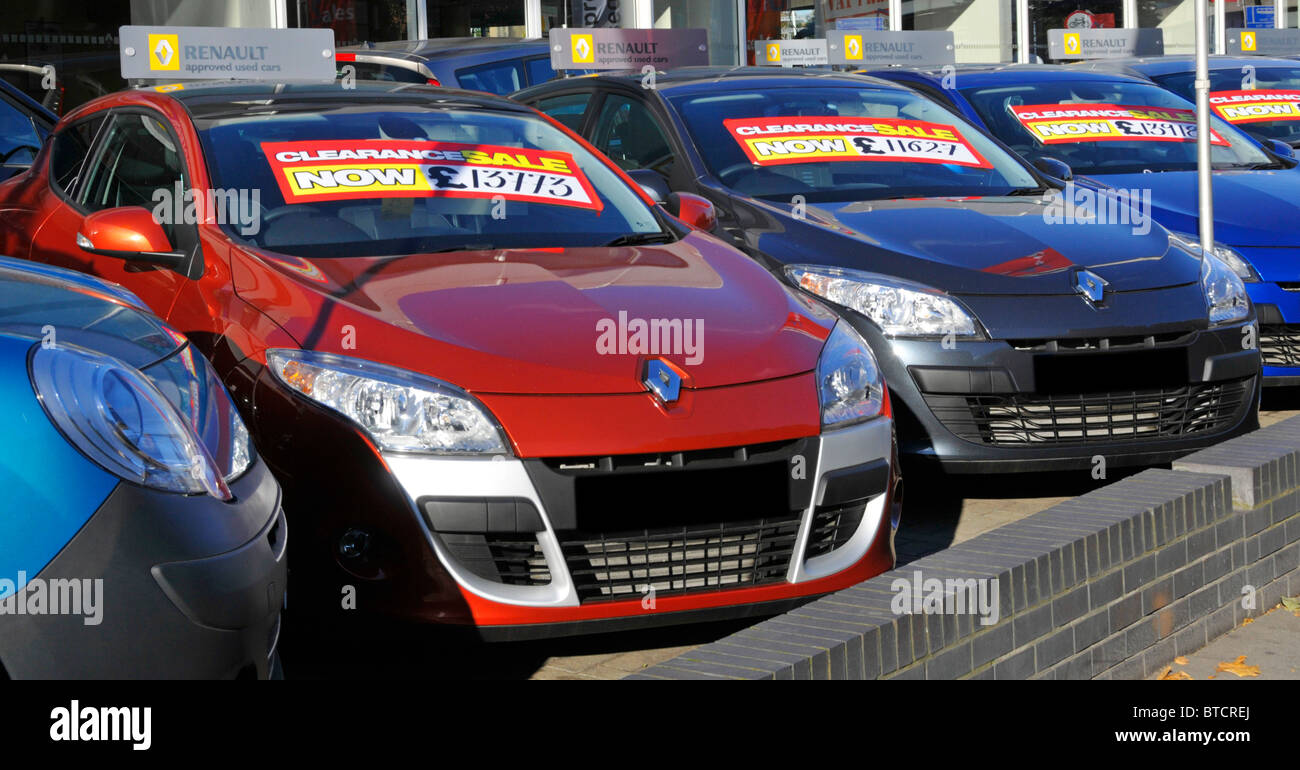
1011	343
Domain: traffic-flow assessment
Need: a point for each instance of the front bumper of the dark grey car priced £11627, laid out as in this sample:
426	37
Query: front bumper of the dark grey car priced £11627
1134	396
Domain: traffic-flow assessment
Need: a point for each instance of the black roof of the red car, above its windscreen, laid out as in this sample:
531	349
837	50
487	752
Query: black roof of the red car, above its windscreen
206	101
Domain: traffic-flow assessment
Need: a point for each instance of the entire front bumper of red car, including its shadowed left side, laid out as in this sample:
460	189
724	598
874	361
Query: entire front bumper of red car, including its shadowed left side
491	544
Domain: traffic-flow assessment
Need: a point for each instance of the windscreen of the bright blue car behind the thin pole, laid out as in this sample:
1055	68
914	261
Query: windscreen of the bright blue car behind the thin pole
1107	127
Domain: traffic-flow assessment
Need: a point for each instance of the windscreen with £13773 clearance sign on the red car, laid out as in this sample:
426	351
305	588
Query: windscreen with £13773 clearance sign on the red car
356	181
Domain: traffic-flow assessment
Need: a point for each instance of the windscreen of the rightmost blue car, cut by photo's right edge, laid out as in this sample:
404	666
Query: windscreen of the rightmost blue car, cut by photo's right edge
1266	102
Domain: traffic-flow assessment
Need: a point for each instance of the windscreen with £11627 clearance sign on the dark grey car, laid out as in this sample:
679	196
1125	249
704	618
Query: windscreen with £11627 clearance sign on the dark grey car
844	144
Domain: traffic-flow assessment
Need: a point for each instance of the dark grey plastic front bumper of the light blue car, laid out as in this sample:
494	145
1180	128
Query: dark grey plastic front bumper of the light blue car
192	589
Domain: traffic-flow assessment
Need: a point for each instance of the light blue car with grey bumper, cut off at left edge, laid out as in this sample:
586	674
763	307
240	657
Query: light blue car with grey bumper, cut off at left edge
141	537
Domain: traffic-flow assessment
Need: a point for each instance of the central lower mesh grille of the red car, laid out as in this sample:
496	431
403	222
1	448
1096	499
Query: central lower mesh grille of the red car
687	560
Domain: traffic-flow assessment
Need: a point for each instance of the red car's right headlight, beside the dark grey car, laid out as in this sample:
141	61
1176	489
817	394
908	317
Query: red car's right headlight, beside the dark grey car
848	379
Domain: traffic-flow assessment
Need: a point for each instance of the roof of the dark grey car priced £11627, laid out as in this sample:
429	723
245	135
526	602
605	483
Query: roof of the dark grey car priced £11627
690	79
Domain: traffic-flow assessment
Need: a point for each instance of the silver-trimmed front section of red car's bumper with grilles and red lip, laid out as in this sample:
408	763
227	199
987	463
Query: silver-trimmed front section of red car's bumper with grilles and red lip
543	548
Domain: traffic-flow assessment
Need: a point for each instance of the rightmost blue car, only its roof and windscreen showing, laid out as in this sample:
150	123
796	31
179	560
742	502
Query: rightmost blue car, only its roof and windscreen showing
1262	96
